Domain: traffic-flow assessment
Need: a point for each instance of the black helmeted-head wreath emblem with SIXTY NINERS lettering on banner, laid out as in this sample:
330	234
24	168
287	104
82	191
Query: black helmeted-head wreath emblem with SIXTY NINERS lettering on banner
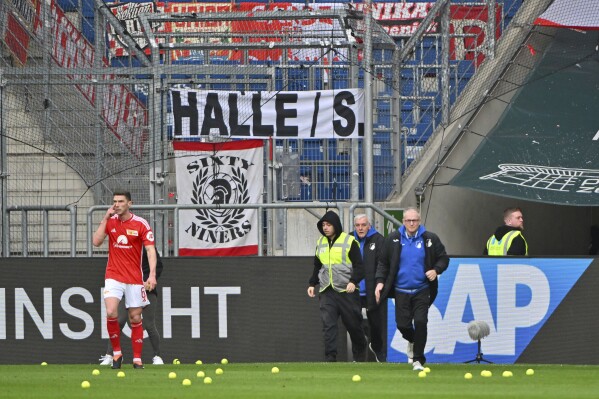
220	180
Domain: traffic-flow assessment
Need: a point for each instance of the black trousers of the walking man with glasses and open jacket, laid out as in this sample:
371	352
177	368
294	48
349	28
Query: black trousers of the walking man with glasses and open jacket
411	316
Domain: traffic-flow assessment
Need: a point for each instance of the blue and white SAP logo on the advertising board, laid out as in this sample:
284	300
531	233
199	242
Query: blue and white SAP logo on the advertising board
513	297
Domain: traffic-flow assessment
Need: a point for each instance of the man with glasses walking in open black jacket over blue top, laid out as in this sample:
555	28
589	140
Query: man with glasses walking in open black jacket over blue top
412	260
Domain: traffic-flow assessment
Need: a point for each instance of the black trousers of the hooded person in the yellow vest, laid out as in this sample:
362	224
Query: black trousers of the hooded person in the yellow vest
334	304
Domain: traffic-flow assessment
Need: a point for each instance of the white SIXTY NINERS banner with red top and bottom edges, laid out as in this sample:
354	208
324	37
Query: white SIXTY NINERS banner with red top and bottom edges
219	174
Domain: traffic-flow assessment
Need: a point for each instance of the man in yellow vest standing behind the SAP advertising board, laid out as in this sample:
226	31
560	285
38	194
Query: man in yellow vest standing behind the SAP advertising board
508	239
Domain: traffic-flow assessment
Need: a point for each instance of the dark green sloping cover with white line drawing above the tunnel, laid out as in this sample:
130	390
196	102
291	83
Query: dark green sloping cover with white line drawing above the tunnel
545	147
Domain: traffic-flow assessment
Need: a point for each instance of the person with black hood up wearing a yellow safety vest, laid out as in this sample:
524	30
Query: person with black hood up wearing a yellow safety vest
338	269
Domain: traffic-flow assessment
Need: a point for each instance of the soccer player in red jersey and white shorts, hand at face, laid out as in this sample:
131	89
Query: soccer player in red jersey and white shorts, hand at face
127	234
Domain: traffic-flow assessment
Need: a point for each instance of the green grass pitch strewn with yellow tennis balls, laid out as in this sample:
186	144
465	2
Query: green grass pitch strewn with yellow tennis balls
300	380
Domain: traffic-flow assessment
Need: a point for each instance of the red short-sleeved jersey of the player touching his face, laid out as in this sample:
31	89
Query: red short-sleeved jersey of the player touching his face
126	240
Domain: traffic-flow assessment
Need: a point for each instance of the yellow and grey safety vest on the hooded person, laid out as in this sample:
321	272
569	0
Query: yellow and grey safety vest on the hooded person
336	267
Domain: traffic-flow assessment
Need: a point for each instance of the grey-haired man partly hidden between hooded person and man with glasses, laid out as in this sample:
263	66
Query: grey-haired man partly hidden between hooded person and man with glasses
371	246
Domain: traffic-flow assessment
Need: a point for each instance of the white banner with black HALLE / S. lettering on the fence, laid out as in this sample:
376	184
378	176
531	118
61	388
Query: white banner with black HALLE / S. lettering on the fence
302	114
